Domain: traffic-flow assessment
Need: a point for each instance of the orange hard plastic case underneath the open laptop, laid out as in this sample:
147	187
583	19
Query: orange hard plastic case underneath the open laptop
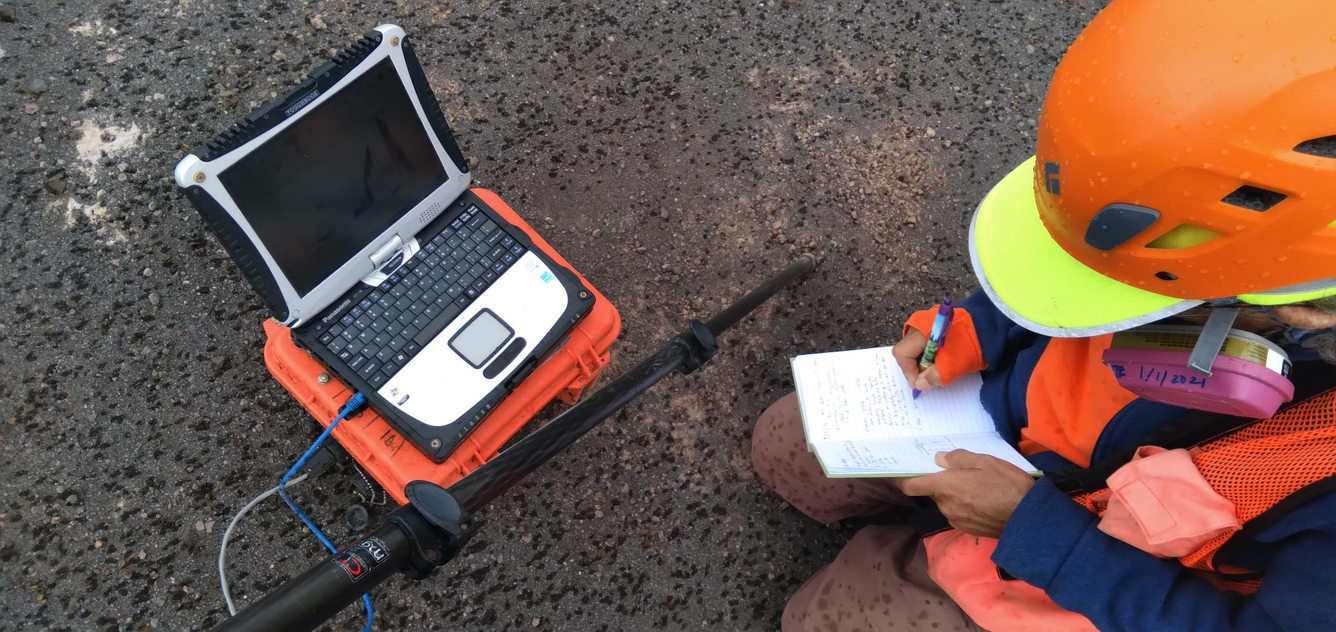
391	459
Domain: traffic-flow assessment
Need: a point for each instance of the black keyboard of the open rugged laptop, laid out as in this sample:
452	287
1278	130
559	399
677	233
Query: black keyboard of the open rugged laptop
377	337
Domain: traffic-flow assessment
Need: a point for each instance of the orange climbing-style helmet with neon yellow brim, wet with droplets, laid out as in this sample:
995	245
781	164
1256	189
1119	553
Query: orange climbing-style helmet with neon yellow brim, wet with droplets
1187	153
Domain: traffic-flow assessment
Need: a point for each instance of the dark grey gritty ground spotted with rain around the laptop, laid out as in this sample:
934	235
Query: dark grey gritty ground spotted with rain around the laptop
677	153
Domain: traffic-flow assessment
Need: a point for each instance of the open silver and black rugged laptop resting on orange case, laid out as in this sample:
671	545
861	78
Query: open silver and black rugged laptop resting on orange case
347	205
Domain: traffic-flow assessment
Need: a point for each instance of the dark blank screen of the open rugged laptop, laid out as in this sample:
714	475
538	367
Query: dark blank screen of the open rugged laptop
323	189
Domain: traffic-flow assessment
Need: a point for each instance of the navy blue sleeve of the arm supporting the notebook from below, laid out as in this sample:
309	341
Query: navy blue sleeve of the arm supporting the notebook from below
1055	544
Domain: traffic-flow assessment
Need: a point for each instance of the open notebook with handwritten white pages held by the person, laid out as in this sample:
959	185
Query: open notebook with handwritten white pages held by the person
862	422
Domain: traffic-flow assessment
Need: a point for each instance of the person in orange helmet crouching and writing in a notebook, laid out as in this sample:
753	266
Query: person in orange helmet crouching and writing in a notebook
1186	164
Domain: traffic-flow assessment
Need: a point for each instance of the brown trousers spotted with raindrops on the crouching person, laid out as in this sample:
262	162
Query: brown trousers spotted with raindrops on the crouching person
880	581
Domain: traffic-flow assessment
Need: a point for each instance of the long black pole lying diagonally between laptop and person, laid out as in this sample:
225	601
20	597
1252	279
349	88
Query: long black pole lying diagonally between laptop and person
309	601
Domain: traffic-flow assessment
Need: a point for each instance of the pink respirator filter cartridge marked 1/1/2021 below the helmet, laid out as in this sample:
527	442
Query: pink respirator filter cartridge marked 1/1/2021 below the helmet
1248	377
